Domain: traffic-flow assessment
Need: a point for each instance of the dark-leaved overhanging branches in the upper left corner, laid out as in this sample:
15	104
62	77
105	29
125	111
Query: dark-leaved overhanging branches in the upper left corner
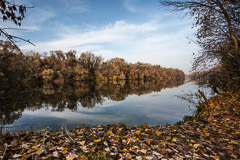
15	13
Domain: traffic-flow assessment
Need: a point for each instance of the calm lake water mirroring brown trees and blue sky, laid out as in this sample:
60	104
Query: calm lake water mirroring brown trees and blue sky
132	103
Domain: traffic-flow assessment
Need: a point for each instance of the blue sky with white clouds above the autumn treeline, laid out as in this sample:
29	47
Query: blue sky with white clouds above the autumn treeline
136	30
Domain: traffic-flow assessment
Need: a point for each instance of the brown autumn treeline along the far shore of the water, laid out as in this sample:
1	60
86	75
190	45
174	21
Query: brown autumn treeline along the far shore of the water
62	68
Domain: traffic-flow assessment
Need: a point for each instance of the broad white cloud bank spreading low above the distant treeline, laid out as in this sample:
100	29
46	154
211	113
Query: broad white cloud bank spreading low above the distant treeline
151	42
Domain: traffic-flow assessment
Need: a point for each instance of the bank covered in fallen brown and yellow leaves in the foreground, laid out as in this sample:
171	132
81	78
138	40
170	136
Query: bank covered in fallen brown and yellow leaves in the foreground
213	133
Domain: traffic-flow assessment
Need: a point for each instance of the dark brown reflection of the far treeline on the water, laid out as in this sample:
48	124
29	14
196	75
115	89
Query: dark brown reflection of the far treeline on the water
15	99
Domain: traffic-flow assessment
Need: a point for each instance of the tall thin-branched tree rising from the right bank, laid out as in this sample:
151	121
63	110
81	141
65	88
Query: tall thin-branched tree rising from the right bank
218	35
